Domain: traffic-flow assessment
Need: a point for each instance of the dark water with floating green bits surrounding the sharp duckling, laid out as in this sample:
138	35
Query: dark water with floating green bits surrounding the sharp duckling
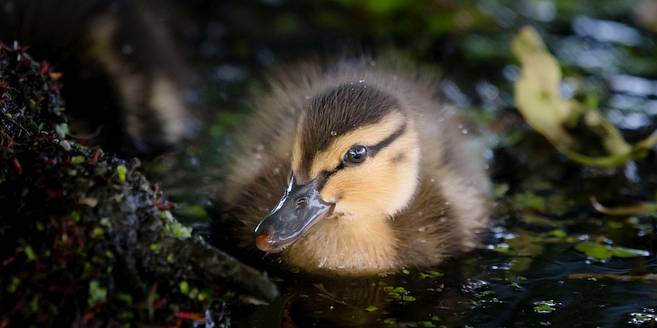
529	271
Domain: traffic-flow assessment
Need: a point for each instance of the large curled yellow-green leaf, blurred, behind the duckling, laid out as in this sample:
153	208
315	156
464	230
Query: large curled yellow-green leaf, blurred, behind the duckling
538	99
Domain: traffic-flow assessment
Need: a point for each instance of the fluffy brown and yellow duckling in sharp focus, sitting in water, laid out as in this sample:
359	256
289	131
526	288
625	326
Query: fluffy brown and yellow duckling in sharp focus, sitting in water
375	173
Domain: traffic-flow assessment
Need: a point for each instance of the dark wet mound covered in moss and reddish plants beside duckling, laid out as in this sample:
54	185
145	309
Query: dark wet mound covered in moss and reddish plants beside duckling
84	237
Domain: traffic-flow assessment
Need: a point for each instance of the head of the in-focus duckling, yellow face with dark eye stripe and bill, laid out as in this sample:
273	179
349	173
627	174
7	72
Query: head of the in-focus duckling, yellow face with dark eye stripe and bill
354	164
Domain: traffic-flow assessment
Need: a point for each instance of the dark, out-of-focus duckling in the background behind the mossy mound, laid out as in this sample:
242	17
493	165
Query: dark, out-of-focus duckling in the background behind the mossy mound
124	76
